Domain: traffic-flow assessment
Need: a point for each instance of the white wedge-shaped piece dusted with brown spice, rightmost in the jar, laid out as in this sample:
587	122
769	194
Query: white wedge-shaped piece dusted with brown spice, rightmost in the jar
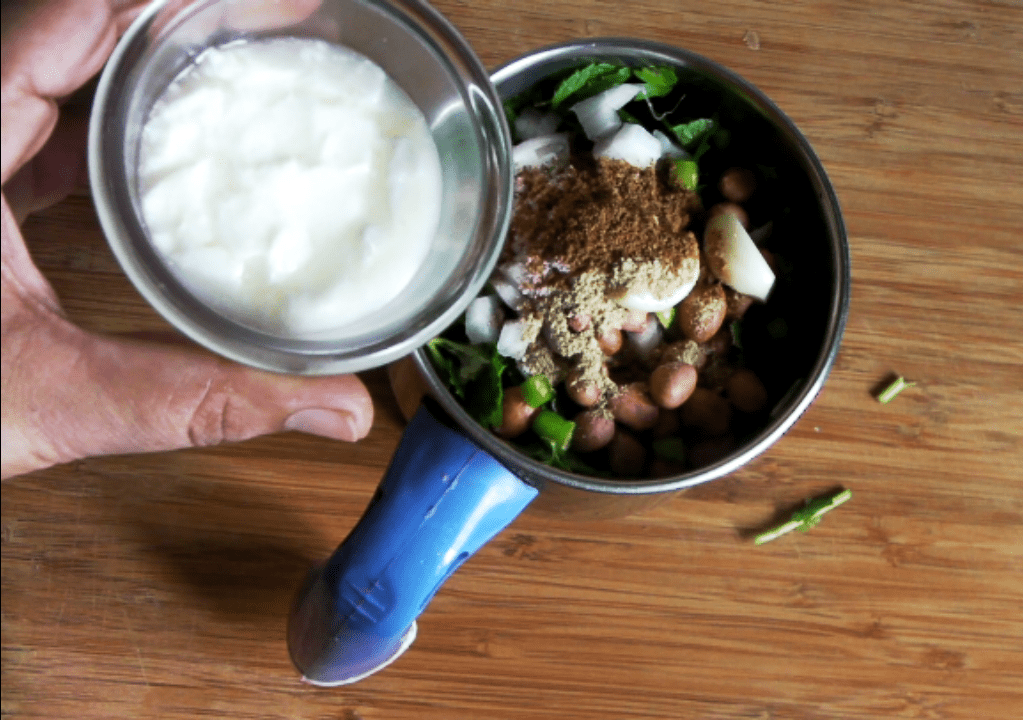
735	259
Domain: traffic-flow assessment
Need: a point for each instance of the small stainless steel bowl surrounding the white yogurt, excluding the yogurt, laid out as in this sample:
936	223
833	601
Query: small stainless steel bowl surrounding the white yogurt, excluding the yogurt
427	57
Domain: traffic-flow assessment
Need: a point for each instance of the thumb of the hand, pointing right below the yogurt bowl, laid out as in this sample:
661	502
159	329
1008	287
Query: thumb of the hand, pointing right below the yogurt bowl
70	394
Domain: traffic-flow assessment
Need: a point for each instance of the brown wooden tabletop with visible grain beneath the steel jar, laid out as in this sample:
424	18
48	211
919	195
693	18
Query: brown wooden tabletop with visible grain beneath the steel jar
158	587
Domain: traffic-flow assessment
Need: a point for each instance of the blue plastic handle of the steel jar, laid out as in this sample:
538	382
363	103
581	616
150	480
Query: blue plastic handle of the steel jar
441	501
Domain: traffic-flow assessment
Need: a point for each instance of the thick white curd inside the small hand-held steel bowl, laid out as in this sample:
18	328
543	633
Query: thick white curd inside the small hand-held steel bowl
291	184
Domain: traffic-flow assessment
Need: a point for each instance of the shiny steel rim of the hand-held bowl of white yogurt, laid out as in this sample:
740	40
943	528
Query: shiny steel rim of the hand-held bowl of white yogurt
301	356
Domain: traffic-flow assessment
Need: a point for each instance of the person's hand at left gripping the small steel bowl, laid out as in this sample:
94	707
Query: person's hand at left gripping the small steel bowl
69	394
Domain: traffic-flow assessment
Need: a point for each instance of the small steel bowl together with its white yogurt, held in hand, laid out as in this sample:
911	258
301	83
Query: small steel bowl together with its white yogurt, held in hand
279	223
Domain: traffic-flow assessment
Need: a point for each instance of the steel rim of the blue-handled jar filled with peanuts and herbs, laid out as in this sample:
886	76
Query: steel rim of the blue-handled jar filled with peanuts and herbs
789	410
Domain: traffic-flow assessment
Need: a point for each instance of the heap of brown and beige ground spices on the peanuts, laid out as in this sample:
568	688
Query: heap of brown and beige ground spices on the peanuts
588	235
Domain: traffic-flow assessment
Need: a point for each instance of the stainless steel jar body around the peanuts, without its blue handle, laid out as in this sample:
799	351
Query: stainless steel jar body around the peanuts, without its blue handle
813	236
